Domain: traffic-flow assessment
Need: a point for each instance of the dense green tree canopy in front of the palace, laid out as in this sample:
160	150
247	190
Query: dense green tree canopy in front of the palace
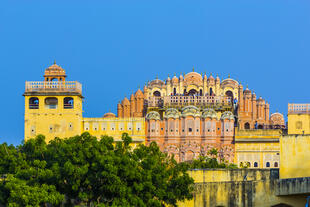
87	171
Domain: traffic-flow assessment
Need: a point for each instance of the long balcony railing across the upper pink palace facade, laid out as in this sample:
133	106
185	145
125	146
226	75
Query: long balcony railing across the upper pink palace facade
179	101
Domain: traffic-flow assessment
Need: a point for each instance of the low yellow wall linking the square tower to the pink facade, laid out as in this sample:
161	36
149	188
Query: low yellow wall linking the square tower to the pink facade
115	127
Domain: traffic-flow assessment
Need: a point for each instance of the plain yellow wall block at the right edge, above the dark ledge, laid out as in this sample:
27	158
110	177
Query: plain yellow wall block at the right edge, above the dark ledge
294	156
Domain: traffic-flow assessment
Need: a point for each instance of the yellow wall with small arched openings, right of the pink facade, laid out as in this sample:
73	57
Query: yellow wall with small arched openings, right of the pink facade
259	145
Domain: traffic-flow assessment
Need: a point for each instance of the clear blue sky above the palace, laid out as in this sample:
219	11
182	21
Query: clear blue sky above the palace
112	47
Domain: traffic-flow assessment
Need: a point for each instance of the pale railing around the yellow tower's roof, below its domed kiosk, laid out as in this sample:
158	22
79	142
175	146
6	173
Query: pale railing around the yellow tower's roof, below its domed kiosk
53	86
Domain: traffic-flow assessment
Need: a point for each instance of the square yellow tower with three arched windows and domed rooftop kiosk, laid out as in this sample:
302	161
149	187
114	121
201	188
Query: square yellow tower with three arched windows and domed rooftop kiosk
53	107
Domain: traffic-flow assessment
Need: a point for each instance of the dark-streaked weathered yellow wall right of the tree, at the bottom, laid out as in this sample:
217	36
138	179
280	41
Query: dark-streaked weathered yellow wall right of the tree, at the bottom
240	187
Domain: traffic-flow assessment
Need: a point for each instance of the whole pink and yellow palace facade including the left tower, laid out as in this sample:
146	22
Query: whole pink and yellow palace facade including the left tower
186	115
